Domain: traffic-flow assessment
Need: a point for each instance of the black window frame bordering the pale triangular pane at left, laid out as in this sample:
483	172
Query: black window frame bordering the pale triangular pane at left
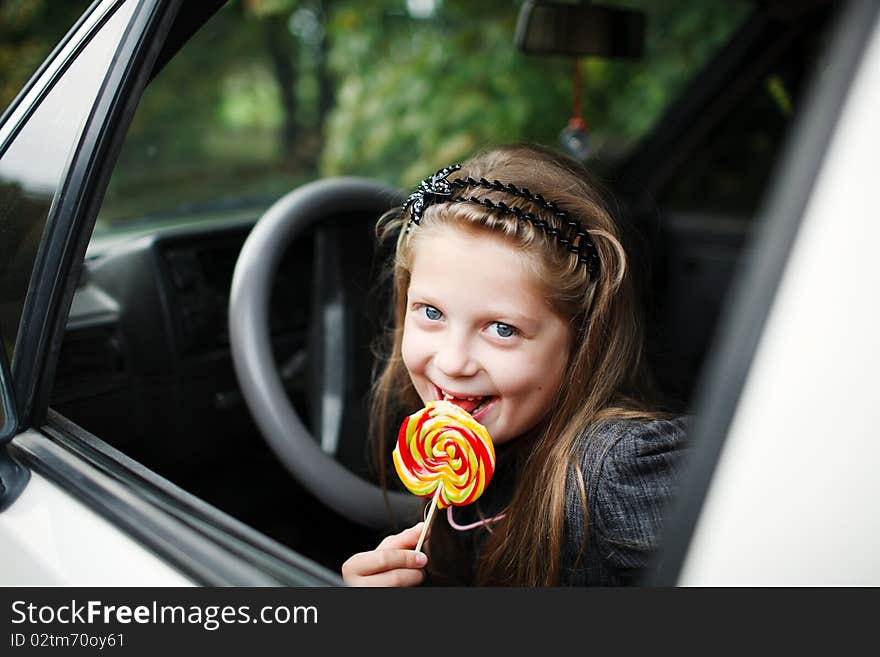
59	260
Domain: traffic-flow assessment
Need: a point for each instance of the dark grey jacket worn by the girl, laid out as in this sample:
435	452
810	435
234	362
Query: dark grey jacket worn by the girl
630	470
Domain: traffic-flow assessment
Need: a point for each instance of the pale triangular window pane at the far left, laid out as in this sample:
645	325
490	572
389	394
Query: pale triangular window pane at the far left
33	166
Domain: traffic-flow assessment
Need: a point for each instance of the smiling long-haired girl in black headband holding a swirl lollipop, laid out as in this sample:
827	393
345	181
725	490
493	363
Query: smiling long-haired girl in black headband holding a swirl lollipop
514	300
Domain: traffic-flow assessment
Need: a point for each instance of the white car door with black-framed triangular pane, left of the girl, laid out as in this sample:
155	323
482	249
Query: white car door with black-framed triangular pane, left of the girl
77	511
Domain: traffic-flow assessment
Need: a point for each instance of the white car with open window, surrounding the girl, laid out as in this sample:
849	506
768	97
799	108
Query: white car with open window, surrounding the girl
188	275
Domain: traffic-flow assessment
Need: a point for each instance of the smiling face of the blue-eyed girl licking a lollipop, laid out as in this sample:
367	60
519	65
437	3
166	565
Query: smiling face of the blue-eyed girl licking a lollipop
479	333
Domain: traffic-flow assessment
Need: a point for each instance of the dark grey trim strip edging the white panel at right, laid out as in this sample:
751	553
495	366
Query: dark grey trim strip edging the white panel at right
755	288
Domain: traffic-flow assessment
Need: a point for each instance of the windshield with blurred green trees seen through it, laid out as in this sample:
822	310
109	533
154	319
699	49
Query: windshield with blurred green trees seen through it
269	95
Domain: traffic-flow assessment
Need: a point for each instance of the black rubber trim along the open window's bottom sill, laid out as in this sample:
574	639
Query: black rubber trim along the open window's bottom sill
206	545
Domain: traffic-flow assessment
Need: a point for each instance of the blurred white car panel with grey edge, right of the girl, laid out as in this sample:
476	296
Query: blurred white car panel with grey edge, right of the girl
781	488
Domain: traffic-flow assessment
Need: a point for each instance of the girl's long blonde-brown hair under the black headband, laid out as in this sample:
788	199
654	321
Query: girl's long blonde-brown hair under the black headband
606	375
